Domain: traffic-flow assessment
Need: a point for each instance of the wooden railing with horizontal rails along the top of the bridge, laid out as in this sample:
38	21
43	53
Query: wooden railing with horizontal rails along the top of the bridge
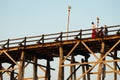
49	38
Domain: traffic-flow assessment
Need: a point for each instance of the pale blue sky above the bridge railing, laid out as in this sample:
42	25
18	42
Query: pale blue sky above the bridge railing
20	18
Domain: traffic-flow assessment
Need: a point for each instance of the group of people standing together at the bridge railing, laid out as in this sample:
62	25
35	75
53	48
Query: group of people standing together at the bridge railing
103	32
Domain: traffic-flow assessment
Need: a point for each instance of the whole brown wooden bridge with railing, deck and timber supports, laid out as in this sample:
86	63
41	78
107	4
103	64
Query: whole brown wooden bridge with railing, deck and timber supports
97	55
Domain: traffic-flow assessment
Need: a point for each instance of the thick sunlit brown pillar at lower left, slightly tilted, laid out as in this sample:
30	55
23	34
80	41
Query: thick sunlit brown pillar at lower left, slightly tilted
21	67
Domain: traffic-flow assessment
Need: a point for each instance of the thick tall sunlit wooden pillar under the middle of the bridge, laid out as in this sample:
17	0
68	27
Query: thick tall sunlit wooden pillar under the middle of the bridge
61	69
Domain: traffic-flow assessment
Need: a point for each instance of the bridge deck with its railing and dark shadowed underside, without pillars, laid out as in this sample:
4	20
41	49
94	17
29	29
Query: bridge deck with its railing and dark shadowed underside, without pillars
50	49
